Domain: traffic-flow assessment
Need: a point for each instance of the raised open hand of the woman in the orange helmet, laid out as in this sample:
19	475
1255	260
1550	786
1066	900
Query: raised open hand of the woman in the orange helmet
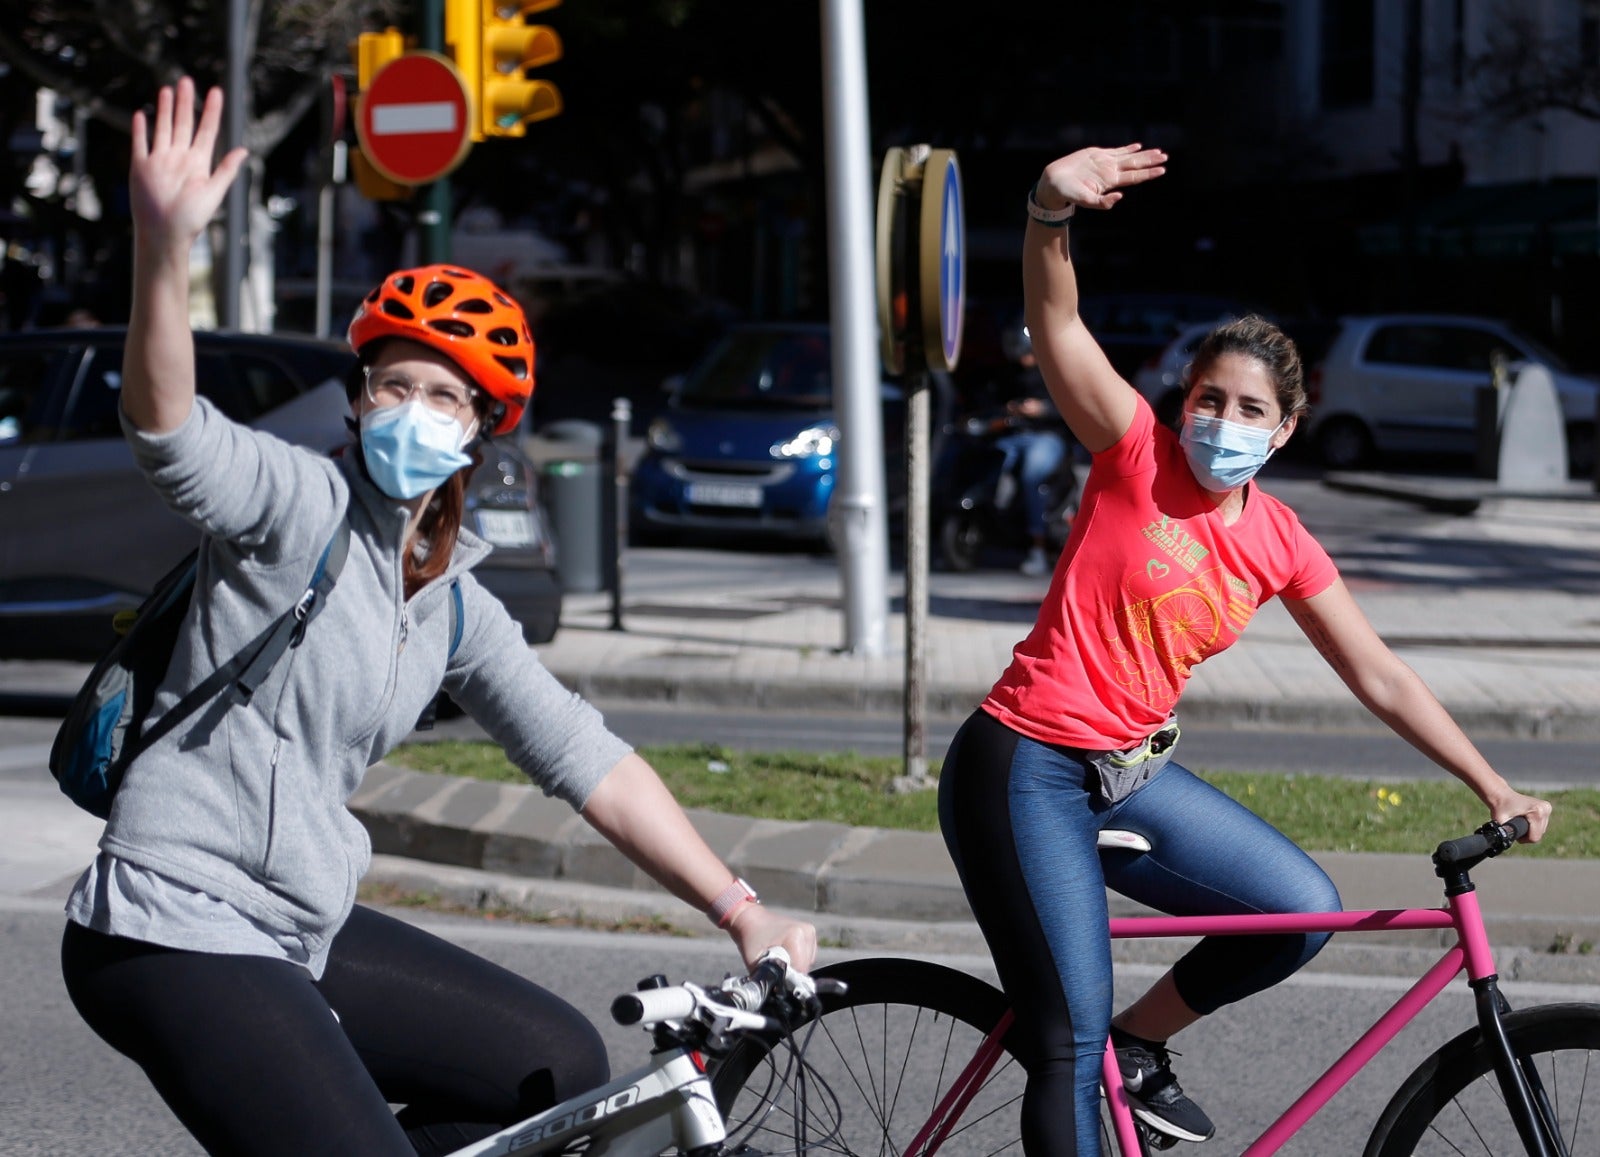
172	186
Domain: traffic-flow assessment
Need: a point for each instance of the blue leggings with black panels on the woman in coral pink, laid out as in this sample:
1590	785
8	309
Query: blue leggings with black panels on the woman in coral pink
1020	820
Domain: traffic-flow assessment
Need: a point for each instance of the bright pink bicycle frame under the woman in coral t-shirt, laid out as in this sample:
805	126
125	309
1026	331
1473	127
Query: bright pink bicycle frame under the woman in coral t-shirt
1471	953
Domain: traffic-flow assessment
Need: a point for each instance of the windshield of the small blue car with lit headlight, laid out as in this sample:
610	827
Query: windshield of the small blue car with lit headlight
758	370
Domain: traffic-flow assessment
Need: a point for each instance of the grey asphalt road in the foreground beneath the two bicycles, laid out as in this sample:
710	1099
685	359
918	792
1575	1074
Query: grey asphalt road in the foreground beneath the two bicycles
68	1094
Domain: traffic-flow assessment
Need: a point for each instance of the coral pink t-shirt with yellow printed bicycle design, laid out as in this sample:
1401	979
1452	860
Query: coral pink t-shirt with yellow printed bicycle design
1150	585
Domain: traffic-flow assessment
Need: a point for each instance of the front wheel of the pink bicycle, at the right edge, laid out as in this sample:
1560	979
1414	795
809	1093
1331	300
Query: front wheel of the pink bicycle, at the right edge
1452	1105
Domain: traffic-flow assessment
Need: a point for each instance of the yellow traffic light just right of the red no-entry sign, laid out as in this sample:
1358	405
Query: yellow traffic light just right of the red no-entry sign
494	46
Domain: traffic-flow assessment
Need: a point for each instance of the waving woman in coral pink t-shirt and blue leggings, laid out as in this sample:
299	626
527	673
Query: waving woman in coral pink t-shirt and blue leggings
1170	556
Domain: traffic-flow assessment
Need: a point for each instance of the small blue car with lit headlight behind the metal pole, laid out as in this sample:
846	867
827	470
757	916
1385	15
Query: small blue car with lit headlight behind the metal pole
750	441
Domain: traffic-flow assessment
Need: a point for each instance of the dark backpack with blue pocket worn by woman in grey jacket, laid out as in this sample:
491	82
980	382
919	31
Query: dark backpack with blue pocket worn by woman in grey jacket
105	729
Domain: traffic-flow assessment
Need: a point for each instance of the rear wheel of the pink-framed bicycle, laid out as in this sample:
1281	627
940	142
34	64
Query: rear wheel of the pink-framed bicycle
866	1075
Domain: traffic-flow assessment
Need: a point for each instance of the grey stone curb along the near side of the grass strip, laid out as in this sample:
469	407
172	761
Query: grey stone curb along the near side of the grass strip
486	846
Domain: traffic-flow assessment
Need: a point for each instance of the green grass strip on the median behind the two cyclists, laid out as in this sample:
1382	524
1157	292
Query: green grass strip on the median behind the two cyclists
1321	814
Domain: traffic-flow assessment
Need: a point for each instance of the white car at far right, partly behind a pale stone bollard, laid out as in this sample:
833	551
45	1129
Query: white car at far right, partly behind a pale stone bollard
1407	383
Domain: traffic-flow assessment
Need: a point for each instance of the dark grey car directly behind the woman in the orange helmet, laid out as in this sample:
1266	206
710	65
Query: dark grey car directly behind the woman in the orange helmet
84	537
